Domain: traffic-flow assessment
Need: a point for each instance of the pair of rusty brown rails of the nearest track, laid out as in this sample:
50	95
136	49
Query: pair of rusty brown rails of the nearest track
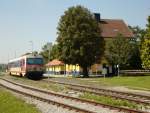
73	98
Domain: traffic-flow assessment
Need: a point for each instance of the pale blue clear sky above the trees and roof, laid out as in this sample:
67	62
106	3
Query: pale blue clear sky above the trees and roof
27	23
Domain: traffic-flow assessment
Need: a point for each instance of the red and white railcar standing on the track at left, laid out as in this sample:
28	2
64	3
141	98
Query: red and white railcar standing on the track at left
28	65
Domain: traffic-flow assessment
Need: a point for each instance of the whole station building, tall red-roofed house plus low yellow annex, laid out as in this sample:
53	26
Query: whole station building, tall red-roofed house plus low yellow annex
110	28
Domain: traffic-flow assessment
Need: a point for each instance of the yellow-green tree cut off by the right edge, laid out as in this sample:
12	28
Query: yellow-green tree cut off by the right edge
145	49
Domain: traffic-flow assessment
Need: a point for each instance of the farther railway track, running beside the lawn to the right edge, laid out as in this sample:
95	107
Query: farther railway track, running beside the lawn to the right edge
140	99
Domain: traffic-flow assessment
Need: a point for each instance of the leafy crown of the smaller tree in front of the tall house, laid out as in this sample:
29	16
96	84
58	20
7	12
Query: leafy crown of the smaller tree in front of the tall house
118	50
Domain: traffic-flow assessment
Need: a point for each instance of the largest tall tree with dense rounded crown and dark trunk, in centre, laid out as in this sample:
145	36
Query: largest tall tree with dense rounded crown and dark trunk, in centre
79	40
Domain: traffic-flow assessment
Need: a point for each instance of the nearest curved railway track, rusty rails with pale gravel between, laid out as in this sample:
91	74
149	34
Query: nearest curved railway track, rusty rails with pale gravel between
93	107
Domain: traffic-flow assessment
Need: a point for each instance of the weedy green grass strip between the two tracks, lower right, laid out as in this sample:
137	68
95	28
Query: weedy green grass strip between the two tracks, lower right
110	101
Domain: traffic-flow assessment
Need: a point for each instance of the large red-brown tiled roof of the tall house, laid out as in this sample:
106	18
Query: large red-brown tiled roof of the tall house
112	27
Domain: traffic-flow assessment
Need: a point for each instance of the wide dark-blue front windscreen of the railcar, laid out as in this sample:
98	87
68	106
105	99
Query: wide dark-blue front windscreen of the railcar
34	61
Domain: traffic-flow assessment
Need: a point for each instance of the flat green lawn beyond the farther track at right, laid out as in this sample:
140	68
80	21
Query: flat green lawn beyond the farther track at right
136	82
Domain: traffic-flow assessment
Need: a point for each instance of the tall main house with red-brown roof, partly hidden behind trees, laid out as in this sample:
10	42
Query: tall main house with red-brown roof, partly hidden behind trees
110	28
